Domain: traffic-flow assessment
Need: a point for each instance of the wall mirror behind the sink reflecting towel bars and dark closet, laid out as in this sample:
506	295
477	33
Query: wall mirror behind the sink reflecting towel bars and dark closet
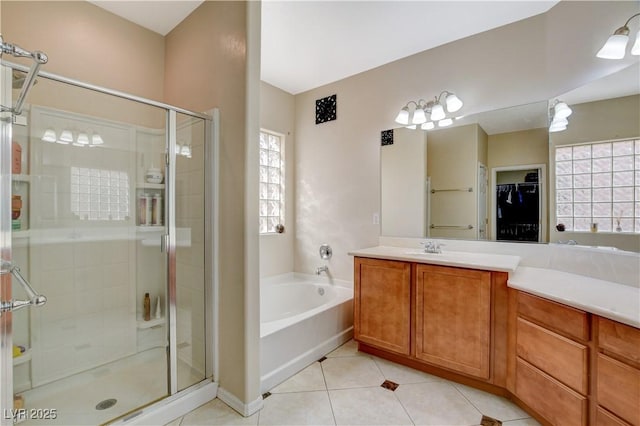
443	183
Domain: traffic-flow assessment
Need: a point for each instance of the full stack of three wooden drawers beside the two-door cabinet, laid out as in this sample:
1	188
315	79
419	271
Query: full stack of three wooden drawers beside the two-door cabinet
552	359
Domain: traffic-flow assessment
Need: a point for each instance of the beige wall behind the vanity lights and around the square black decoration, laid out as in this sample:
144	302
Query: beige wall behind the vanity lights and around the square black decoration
337	174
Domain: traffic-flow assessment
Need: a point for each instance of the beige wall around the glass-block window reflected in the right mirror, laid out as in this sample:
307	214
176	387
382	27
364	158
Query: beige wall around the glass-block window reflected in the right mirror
592	122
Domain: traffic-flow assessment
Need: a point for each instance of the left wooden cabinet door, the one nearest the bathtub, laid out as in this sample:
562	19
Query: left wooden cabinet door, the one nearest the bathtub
382	304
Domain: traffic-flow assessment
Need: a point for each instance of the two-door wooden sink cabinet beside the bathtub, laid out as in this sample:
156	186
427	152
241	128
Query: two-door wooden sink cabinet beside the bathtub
437	318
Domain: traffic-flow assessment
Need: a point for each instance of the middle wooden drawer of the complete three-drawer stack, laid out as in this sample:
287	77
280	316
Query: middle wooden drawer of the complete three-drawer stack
554	354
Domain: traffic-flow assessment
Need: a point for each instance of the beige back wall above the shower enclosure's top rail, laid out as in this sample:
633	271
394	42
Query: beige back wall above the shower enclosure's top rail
87	43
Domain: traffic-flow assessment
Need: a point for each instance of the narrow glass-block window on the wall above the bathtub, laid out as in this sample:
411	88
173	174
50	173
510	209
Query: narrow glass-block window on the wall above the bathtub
271	181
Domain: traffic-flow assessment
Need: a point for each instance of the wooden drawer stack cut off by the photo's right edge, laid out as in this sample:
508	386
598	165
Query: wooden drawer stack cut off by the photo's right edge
618	374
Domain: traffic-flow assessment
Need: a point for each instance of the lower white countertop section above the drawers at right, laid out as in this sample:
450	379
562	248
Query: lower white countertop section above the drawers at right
618	302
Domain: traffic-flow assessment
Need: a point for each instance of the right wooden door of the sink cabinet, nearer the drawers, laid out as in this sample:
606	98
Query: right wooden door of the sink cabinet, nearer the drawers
453	318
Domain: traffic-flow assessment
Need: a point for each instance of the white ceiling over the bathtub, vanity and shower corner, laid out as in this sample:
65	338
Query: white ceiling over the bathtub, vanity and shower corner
306	44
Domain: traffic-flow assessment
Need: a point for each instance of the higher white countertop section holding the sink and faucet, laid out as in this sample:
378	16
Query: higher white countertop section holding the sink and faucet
460	259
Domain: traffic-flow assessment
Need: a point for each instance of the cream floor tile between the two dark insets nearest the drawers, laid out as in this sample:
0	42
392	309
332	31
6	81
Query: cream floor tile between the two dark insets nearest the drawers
437	403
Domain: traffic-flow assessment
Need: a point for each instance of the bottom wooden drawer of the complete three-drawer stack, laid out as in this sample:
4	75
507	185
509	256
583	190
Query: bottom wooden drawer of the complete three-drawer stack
557	403
